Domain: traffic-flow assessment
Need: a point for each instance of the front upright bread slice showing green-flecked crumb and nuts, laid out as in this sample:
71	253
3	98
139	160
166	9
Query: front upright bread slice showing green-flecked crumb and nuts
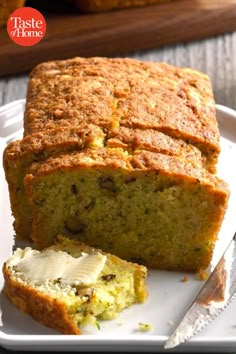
155	209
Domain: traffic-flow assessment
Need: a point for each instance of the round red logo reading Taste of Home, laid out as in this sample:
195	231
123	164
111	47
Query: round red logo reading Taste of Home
26	26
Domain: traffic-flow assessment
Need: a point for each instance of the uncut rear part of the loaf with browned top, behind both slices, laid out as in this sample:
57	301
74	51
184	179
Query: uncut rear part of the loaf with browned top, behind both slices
123	92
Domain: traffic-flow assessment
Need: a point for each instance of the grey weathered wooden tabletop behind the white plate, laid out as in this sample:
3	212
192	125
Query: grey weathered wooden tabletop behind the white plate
215	56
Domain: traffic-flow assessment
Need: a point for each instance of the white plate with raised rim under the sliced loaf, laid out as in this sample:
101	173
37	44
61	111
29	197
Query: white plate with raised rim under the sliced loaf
168	300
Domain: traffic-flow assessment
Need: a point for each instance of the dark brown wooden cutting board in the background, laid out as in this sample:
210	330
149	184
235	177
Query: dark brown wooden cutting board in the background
119	32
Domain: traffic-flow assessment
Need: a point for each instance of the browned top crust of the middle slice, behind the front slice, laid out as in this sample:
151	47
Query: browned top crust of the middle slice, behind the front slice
89	135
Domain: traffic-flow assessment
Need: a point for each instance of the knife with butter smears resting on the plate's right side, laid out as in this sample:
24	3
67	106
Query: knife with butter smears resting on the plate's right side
215	295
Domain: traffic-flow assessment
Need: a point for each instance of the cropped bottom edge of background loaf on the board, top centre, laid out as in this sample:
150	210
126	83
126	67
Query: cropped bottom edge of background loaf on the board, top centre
105	5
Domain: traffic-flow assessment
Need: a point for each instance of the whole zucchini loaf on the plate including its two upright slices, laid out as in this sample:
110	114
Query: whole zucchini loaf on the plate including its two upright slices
140	183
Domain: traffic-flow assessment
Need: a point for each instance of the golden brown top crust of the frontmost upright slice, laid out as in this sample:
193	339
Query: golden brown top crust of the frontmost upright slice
142	160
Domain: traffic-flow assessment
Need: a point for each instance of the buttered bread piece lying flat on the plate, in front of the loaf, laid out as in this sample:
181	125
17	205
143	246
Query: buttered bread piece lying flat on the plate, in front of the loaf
66	304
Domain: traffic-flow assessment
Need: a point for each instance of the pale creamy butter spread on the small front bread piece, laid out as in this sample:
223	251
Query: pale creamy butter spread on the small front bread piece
58	265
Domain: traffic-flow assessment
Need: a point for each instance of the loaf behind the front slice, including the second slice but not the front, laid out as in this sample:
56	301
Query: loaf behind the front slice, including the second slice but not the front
59	108
